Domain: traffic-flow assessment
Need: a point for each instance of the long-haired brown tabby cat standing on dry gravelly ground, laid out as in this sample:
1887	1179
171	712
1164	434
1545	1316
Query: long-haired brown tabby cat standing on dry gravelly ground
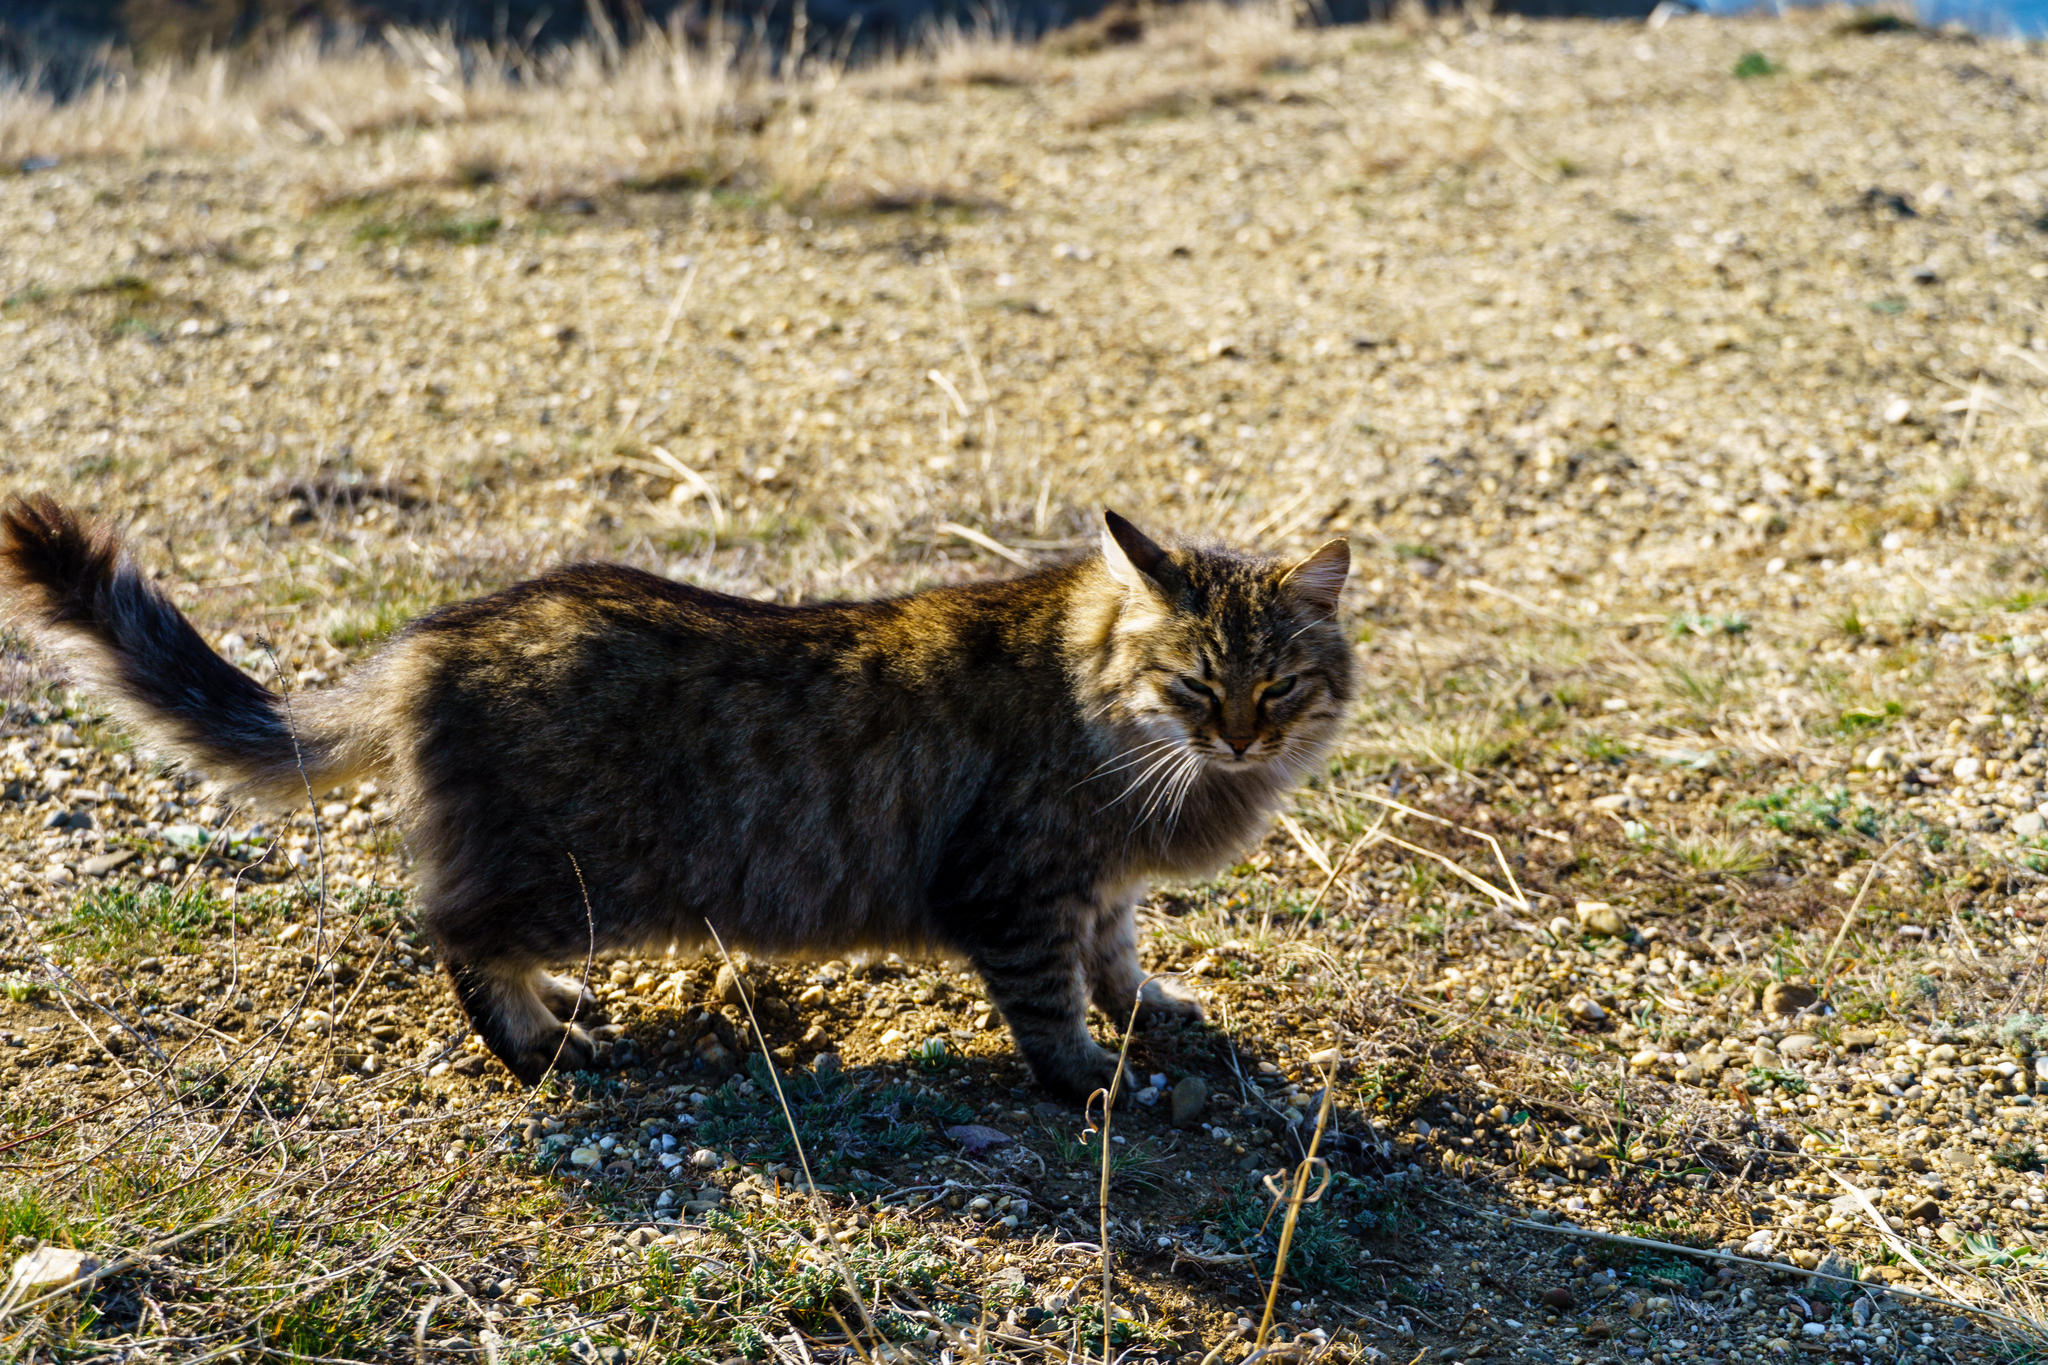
601	760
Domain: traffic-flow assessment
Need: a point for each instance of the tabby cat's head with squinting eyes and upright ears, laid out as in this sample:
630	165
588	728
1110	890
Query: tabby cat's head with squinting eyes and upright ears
1232	658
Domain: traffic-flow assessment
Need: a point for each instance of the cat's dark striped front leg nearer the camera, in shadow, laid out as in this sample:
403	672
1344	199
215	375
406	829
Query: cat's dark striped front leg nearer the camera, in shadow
1037	979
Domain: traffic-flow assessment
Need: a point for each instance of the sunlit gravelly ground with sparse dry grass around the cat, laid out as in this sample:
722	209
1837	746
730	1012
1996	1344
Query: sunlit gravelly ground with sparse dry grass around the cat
1684	871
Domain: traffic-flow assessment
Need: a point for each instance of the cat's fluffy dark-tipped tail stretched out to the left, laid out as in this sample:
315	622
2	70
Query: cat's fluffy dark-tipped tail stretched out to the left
73	586
